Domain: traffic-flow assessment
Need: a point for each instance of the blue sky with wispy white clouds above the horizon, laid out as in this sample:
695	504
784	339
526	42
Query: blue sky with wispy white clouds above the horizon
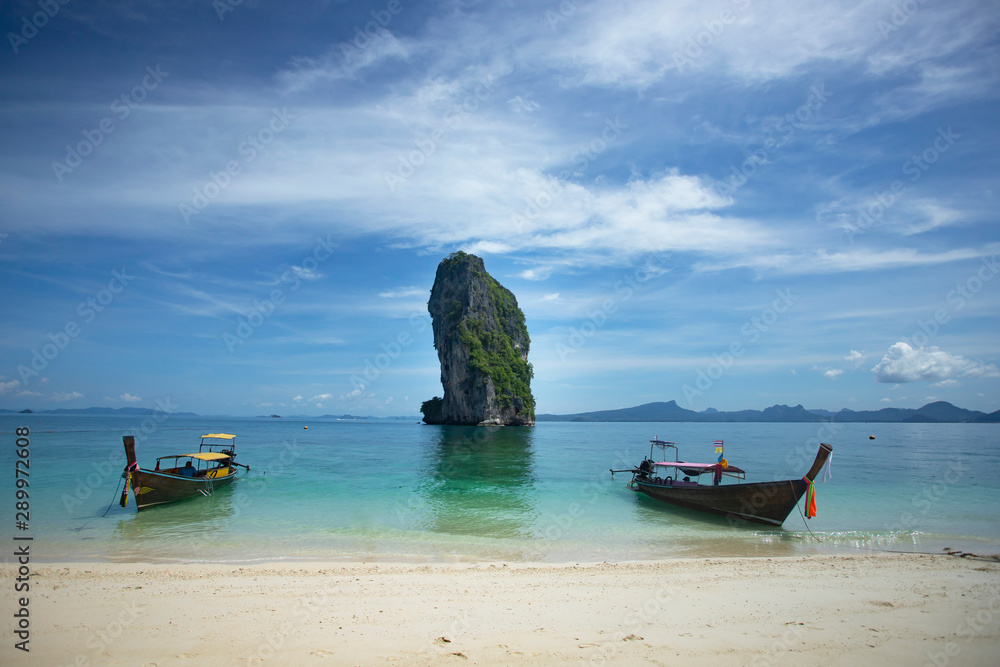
238	207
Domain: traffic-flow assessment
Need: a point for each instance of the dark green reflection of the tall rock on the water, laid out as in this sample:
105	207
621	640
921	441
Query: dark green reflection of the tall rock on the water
478	481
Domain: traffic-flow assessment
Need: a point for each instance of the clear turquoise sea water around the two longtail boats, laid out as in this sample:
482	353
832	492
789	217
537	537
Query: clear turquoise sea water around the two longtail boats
400	491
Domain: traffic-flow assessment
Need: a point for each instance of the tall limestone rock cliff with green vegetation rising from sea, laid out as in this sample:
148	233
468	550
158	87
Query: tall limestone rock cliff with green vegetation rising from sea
482	343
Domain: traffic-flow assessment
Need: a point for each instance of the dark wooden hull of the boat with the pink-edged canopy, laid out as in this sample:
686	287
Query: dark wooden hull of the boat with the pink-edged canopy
768	503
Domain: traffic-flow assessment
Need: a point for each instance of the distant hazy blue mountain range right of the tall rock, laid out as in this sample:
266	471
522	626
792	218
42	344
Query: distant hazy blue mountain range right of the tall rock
937	412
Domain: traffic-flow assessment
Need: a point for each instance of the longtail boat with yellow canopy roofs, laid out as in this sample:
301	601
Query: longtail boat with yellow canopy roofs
185	475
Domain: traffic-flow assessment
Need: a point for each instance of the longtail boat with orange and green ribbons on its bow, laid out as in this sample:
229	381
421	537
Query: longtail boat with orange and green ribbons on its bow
759	502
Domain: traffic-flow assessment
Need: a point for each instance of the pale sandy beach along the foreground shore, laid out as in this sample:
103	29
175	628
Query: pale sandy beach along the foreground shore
830	610
